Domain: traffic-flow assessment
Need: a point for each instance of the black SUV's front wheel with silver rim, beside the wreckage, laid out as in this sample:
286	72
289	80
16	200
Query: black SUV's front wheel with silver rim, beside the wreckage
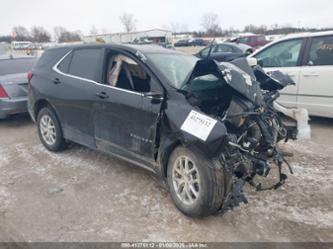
198	188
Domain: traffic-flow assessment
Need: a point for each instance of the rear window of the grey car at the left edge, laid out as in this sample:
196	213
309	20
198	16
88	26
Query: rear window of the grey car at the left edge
15	66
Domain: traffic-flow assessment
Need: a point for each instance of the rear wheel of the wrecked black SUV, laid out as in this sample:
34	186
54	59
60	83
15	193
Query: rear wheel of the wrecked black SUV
49	130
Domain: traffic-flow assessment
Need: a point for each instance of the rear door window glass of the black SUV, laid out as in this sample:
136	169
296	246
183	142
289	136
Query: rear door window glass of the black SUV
85	63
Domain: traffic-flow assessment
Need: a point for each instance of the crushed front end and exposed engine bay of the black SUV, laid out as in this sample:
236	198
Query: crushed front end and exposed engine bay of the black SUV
243	98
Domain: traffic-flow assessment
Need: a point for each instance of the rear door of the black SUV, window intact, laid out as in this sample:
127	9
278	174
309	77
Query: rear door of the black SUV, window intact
75	82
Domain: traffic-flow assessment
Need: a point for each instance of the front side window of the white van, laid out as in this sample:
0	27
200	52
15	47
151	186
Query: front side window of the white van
283	54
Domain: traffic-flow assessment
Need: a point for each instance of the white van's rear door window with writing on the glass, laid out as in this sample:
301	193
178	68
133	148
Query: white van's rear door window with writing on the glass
321	51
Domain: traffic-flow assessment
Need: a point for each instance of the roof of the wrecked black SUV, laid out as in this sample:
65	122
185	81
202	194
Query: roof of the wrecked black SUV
144	49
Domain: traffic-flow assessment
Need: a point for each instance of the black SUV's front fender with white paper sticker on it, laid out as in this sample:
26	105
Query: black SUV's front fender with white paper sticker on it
187	126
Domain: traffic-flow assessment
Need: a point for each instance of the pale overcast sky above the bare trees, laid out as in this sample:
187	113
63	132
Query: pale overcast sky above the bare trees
104	14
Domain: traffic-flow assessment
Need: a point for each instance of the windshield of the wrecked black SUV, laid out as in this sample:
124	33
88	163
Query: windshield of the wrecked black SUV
175	67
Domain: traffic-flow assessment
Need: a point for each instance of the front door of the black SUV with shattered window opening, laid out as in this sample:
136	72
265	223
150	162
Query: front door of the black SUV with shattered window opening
125	118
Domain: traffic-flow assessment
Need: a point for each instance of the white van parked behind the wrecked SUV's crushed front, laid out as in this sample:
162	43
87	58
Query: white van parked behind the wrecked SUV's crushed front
308	59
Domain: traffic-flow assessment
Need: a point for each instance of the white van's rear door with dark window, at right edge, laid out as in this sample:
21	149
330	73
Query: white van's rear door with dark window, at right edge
316	80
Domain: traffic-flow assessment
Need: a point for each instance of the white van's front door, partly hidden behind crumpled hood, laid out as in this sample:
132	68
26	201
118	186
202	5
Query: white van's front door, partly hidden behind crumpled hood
286	57
